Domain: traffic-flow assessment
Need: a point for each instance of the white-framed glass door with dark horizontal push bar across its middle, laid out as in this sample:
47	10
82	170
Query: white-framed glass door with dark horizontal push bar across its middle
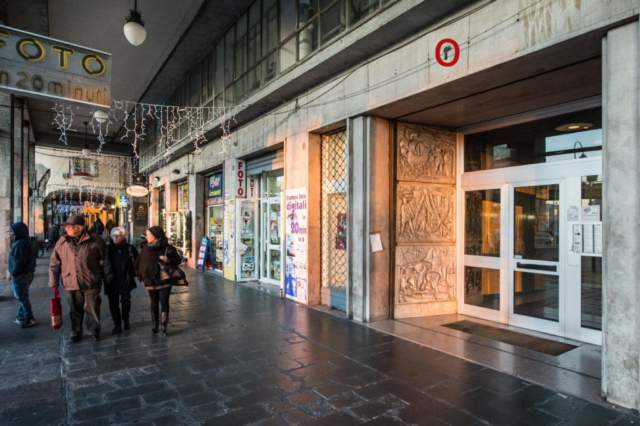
536	273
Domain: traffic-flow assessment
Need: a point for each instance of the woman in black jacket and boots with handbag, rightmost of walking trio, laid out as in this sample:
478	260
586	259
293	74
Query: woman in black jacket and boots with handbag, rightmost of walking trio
157	250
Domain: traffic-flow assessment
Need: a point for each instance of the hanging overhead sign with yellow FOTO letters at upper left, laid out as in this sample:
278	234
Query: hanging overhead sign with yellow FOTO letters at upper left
42	67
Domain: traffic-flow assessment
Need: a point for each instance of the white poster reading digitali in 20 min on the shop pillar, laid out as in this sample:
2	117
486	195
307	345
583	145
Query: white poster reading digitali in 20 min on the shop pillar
296	244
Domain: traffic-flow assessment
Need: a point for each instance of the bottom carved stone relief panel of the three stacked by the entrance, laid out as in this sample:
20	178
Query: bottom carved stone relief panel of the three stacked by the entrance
425	274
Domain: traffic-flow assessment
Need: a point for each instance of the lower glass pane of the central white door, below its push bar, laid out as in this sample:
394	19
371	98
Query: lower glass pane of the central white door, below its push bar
536	295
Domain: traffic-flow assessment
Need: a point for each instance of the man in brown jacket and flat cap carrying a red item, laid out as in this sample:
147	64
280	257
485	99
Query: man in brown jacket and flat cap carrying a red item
81	259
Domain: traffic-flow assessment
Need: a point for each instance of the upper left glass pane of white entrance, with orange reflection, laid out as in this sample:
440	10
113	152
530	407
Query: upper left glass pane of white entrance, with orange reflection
482	223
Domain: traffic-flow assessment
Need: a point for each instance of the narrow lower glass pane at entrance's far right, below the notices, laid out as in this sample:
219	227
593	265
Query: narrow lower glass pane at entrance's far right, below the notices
591	304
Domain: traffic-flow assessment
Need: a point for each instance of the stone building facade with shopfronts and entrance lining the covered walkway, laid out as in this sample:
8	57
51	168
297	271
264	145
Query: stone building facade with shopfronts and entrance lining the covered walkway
479	160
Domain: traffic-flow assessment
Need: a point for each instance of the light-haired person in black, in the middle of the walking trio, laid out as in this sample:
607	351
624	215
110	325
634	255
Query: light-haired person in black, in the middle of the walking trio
123	258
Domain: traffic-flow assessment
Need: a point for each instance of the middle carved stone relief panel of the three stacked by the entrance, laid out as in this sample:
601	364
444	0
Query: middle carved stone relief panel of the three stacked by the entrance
426	213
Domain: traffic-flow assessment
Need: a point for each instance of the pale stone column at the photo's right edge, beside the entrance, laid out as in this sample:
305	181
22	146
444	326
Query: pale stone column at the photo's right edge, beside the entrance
621	204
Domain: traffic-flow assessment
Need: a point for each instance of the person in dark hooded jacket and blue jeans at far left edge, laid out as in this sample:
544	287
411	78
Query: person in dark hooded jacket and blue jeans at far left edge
22	265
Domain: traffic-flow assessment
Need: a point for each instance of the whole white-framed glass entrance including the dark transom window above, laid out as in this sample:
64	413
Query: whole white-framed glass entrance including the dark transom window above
533	225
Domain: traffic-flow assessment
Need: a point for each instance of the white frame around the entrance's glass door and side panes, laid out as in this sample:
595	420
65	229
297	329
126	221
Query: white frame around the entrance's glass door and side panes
569	175
